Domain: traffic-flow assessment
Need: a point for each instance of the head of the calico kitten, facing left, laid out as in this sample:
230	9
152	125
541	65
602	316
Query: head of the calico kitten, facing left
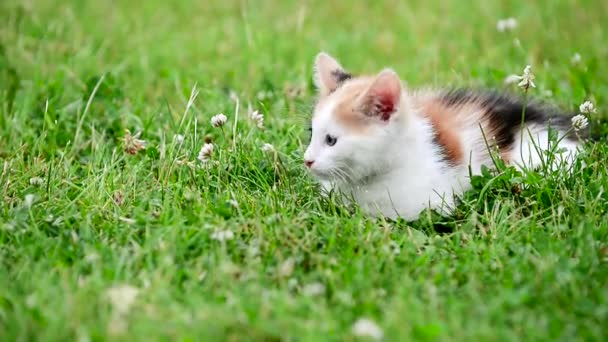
354	122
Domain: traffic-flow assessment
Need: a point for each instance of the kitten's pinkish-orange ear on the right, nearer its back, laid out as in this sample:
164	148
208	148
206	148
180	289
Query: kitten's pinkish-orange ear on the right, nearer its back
382	98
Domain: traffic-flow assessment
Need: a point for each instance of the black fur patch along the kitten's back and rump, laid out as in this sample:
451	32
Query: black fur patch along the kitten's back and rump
505	113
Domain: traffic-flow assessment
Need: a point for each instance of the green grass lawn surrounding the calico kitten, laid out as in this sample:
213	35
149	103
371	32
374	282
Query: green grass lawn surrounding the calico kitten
524	258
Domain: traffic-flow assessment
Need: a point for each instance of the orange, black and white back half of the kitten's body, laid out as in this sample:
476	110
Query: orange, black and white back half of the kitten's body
464	120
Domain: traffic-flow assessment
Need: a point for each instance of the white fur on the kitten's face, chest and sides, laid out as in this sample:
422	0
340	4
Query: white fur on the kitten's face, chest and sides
396	170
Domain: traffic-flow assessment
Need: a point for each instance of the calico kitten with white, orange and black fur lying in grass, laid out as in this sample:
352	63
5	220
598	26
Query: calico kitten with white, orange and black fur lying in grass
397	152
